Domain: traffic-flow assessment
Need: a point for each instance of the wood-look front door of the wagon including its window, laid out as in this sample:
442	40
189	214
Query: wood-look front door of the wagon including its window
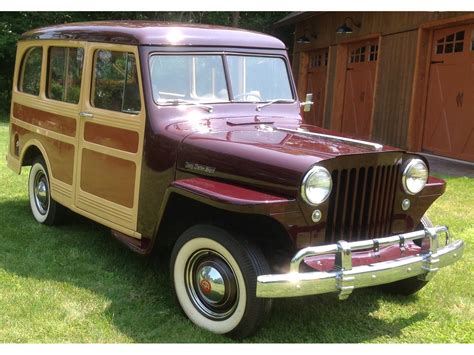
111	127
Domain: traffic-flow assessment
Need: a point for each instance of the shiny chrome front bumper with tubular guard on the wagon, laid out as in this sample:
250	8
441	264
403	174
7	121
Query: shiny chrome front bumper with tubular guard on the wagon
344	278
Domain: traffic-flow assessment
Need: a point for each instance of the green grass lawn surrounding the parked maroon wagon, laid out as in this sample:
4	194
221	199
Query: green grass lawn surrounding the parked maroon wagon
75	283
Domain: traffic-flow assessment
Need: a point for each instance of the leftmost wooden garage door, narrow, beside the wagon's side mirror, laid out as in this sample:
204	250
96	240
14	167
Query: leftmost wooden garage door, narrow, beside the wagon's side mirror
316	84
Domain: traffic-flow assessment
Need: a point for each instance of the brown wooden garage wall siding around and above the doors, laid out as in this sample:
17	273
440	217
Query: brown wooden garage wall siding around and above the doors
395	107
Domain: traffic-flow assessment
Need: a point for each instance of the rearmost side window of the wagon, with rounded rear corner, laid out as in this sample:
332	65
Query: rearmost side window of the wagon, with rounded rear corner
30	71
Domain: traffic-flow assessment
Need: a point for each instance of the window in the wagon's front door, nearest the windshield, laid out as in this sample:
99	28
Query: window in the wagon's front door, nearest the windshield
115	82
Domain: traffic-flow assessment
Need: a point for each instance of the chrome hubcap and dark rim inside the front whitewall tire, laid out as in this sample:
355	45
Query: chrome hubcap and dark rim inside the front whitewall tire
211	285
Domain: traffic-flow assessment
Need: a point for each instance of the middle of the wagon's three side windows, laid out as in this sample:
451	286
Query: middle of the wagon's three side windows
64	74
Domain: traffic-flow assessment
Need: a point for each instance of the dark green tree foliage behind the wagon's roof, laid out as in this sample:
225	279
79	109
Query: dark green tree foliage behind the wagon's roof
13	24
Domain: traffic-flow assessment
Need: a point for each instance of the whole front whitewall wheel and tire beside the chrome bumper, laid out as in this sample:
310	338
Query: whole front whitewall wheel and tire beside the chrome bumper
214	277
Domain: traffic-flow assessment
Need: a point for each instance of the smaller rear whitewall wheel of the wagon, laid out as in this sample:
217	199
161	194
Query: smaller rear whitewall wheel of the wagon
44	208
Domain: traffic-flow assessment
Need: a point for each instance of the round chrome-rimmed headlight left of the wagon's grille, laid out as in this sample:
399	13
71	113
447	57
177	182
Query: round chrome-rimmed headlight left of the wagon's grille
317	185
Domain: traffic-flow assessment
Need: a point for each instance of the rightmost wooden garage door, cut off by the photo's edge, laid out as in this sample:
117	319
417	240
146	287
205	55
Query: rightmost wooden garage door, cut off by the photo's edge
449	121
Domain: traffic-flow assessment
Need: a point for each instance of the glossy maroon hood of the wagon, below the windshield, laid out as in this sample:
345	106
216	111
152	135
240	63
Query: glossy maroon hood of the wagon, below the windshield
273	156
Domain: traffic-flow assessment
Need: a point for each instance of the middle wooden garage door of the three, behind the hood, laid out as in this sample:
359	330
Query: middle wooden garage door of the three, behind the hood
359	88
